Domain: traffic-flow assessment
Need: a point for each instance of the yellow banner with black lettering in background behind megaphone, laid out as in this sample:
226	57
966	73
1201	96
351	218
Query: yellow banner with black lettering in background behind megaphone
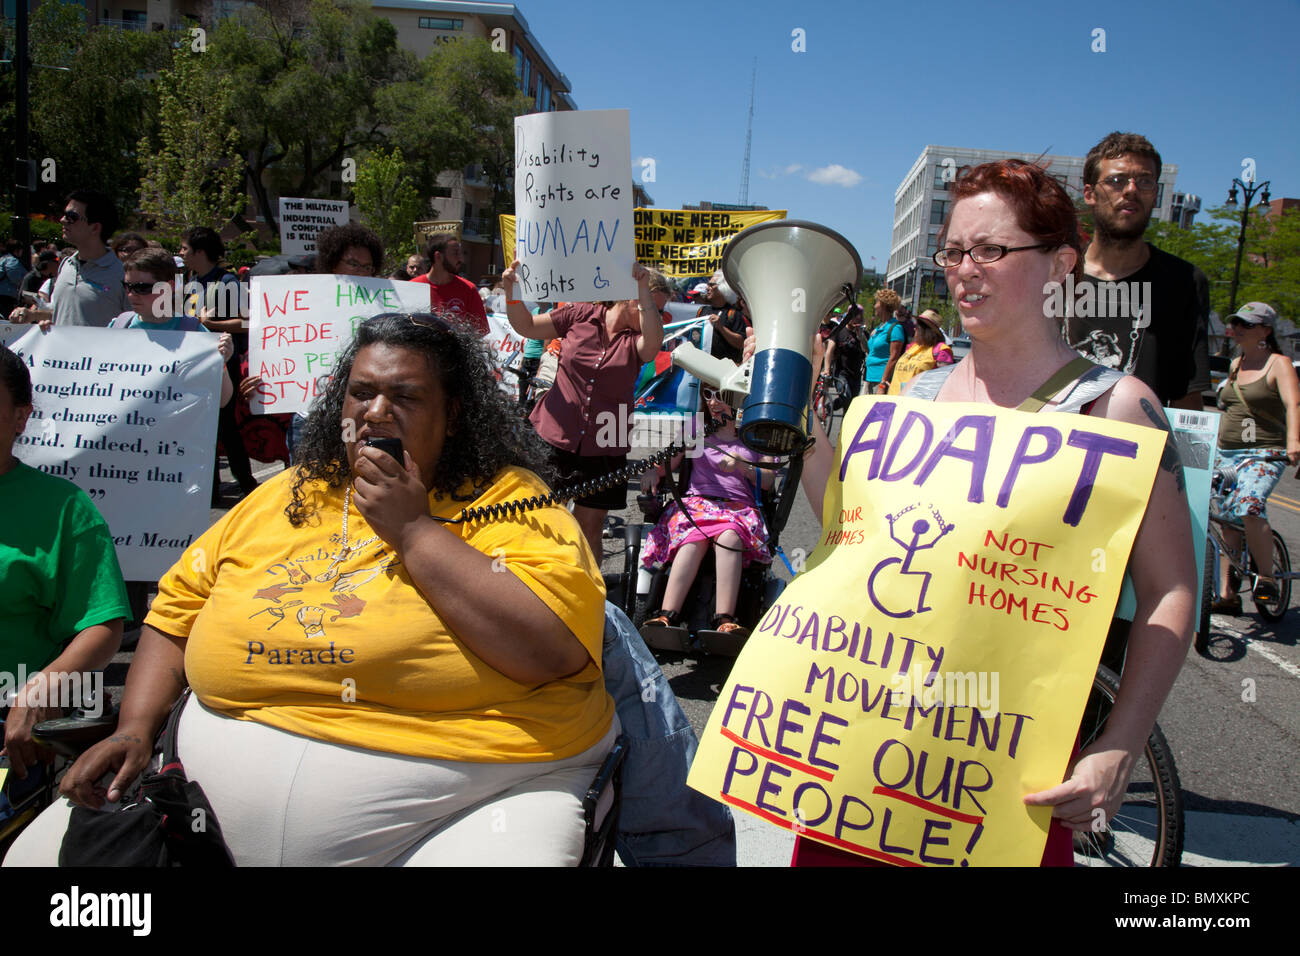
679	243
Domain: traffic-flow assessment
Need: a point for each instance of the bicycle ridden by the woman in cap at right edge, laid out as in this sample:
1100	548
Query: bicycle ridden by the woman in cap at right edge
1241	563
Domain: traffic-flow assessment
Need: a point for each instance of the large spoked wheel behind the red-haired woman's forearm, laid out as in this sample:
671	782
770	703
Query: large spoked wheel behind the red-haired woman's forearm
1149	829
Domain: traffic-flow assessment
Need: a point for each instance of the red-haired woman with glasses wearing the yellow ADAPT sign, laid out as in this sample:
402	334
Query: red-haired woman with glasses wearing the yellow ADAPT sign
1012	233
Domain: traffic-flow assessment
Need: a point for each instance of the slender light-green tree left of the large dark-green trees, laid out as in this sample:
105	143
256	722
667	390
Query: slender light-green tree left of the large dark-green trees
194	175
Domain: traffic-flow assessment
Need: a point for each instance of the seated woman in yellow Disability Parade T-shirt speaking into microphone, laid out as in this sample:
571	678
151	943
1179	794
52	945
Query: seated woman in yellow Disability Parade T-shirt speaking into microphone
375	684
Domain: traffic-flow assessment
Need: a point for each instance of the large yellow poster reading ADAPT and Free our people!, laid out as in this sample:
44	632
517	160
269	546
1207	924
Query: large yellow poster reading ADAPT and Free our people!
930	668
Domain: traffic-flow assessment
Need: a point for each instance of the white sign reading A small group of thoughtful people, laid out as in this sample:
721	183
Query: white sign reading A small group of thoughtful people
131	418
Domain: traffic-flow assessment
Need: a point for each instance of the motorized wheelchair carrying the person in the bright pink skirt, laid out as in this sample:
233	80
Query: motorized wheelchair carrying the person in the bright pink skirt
639	591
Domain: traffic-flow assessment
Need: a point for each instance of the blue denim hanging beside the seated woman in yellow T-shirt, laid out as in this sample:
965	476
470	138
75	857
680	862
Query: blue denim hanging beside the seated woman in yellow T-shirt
662	823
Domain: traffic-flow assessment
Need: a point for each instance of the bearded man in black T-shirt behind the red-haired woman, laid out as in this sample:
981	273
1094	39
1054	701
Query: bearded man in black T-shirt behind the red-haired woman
1158	327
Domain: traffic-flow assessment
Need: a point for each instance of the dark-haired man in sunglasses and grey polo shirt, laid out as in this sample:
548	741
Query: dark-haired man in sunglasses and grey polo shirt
89	287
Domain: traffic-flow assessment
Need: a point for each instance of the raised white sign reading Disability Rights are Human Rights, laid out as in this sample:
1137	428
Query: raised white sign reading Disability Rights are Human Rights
574	206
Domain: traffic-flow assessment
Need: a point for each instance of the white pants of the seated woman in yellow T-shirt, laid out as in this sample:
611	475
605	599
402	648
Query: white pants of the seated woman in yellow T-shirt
287	801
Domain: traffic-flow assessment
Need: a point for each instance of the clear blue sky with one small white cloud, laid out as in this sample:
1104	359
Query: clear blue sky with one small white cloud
879	81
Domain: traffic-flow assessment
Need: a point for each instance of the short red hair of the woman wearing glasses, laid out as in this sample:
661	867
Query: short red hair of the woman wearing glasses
1041	205
